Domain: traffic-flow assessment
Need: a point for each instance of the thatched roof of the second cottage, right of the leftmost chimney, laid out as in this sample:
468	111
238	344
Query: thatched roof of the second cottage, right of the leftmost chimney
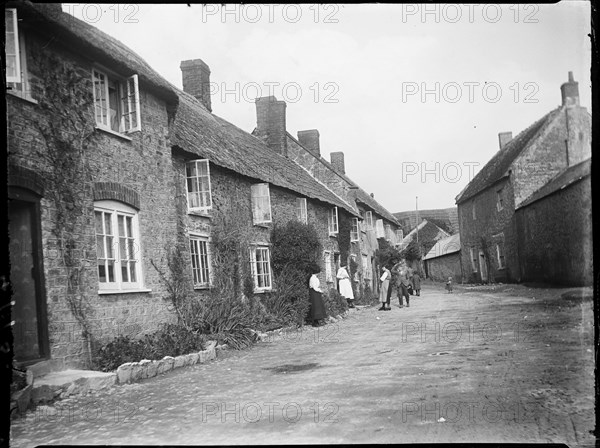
200	132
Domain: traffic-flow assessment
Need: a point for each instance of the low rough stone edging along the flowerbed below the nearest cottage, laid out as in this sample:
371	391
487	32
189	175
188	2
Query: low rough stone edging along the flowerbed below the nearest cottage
135	371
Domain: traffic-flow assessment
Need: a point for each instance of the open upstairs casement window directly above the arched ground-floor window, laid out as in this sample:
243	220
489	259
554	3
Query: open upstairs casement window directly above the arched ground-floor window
116	102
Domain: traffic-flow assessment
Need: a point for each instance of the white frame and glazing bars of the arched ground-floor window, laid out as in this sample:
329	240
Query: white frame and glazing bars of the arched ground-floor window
114	210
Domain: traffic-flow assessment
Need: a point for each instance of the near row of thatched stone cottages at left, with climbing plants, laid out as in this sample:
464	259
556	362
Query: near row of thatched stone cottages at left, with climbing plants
153	169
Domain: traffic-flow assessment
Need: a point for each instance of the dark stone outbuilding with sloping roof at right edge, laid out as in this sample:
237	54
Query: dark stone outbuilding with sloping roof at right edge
554	230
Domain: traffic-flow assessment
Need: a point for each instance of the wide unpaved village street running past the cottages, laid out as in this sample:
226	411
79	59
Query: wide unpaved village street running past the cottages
512	364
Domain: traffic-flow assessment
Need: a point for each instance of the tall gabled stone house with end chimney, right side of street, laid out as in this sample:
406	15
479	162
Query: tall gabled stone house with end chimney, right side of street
523	165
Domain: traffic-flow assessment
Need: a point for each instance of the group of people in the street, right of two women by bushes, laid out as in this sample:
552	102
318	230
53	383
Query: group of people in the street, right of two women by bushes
402	277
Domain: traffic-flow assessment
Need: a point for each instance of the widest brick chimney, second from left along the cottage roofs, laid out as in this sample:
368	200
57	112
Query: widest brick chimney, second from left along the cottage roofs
270	123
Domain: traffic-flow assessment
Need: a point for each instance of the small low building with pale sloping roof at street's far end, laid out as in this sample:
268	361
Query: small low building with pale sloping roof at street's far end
443	260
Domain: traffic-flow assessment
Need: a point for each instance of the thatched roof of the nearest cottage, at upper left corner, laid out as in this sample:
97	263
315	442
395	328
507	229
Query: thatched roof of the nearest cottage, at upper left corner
92	43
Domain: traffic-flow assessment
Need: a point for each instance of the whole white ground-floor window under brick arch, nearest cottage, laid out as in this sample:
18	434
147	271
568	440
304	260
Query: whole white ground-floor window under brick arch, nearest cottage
117	246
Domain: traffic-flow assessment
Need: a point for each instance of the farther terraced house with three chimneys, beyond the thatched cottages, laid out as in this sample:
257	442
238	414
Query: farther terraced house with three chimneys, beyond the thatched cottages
376	223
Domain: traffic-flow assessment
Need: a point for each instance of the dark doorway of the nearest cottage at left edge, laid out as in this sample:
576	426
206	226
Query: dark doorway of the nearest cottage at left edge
30	330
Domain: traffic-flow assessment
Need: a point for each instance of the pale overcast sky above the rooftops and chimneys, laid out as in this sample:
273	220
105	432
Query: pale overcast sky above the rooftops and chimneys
413	94
